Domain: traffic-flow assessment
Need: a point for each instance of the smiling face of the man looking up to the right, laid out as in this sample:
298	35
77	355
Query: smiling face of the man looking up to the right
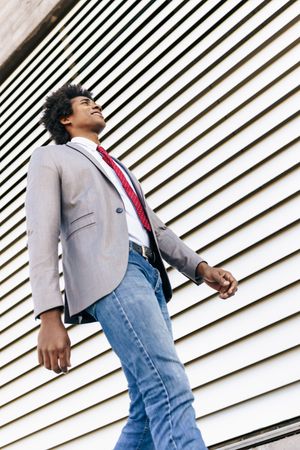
86	116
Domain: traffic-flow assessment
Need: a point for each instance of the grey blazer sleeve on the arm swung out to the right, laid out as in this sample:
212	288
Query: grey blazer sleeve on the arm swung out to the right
173	250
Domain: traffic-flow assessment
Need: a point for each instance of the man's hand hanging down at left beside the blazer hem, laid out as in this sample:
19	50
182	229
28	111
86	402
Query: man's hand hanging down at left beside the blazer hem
54	345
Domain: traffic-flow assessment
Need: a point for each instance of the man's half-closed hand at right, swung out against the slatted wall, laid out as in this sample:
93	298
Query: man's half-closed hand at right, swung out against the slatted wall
221	280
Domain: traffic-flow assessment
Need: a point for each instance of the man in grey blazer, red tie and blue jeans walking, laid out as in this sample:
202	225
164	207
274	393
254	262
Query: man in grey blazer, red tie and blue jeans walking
112	249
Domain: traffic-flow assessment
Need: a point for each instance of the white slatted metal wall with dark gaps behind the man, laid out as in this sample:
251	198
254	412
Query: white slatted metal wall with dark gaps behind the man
200	99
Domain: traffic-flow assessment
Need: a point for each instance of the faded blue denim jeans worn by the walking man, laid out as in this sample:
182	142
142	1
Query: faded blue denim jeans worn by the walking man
135	320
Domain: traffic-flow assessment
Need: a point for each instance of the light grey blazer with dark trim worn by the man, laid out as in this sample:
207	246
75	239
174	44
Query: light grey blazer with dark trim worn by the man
70	198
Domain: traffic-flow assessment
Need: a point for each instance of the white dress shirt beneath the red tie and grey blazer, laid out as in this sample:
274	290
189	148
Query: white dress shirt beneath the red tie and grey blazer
136	231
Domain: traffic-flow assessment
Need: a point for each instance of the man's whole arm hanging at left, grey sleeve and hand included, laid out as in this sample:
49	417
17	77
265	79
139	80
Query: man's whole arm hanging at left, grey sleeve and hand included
43	208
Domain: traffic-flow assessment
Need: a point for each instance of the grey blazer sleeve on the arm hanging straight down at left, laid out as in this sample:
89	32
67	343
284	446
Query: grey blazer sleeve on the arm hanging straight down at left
43	206
